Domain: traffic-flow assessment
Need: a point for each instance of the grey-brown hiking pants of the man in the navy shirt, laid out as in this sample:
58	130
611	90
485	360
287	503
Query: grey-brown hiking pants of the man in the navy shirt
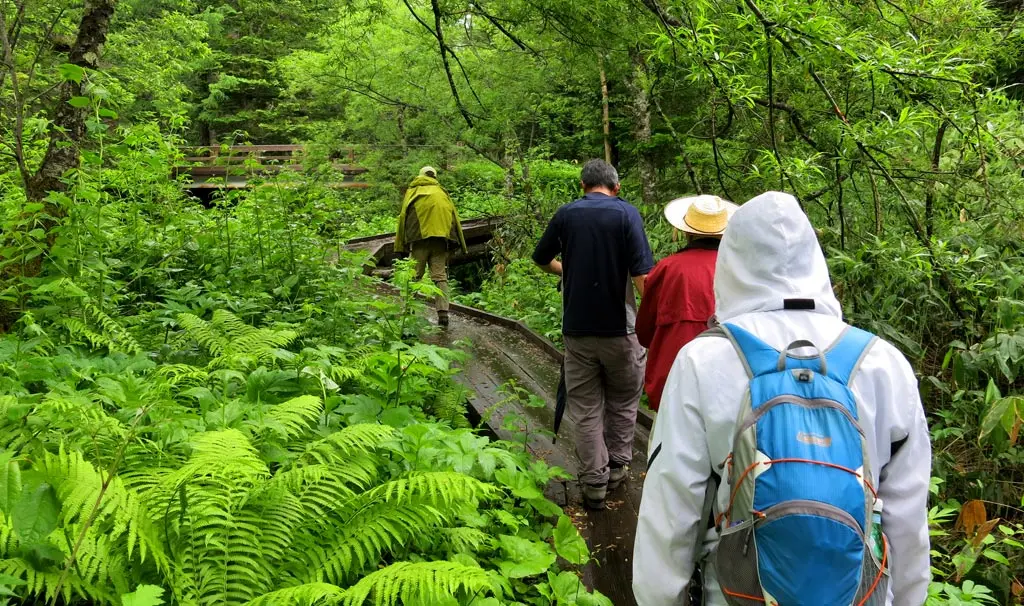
604	383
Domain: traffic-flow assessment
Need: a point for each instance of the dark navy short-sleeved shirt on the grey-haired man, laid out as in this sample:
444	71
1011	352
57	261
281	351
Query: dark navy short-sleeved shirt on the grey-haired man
603	244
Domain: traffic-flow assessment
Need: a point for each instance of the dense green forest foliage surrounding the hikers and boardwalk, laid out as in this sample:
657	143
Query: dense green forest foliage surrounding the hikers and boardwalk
174	371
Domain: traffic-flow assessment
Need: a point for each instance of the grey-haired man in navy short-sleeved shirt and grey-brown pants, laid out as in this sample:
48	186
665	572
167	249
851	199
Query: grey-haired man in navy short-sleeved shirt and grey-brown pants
604	248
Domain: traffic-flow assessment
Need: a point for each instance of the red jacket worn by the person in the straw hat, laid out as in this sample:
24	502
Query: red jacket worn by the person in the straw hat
678	301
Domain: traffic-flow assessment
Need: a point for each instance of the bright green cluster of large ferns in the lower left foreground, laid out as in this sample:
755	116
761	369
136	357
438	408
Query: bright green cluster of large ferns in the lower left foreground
219	526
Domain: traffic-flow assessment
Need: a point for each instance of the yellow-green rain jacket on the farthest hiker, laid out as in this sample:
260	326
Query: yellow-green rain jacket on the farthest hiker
428	212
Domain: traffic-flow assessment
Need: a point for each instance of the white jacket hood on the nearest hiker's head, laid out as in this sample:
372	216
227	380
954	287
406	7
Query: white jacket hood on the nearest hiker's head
770	254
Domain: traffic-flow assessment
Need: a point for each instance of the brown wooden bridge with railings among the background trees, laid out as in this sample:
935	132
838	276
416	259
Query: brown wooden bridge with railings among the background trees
236	167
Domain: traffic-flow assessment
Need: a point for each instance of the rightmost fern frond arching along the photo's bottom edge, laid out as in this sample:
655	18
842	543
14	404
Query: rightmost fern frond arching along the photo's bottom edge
418	584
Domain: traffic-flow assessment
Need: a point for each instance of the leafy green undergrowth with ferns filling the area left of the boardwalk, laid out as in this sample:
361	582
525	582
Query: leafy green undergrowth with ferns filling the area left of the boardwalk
200	409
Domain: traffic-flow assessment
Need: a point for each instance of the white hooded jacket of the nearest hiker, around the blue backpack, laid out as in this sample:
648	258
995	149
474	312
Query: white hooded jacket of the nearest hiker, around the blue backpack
770	256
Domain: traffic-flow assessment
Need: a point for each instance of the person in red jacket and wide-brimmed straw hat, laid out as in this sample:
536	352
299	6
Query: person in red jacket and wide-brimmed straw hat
679	297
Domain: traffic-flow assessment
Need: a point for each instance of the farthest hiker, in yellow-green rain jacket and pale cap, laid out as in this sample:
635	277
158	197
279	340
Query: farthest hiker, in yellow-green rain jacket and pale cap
428	224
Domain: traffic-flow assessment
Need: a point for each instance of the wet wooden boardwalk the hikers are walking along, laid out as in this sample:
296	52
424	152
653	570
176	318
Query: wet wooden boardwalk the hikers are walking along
502	350
